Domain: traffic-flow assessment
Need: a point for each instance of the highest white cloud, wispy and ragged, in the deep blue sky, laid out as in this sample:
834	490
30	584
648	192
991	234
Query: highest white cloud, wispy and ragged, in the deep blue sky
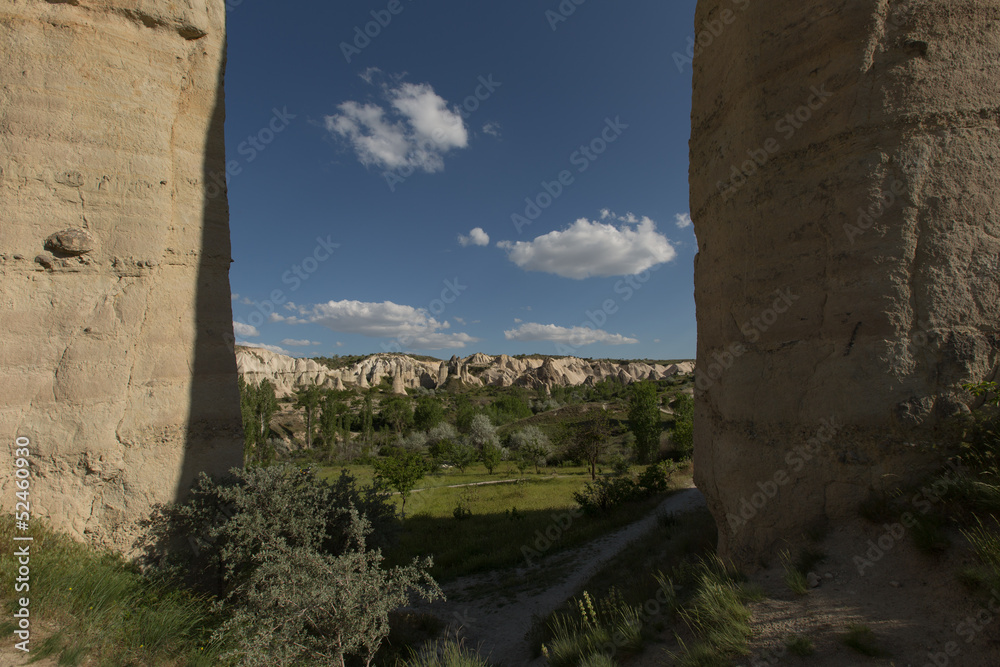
416	130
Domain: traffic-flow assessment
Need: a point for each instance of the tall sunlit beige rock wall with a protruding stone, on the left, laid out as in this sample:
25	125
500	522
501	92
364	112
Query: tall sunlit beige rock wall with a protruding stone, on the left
116	354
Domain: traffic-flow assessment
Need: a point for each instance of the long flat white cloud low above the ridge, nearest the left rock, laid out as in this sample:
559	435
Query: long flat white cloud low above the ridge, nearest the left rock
412	327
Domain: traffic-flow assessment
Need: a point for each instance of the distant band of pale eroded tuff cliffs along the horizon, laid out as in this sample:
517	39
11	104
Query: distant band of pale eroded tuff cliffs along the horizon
287	373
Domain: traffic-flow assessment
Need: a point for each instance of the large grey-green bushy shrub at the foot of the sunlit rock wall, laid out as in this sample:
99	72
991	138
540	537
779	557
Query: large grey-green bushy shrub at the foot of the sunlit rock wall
293	560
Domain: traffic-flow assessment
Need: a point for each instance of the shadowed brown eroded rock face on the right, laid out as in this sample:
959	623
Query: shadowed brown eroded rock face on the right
844	191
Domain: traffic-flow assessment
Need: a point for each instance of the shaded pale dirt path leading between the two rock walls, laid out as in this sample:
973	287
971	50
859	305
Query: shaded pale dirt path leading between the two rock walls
494	611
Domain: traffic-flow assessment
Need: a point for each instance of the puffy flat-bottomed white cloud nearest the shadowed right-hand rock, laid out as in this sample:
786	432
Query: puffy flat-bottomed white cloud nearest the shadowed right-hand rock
586	249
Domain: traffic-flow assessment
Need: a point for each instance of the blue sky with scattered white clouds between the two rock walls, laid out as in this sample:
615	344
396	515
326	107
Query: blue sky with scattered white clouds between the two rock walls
480	176
